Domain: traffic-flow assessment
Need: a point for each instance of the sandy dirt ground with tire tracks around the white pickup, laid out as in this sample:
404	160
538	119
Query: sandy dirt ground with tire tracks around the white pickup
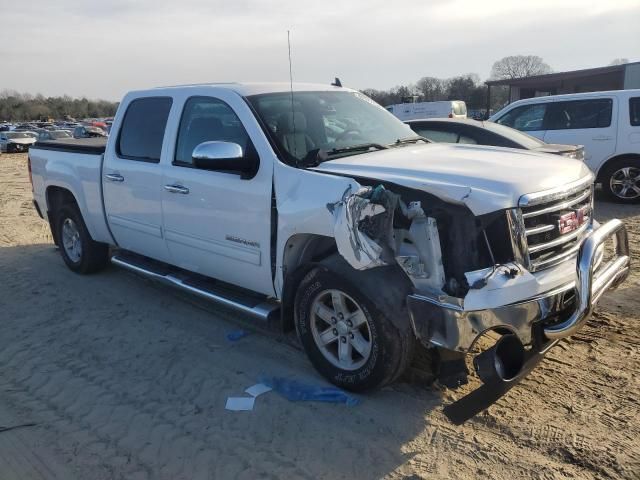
114	376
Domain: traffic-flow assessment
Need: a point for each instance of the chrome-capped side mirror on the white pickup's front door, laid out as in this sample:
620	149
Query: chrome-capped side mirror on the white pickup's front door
224	156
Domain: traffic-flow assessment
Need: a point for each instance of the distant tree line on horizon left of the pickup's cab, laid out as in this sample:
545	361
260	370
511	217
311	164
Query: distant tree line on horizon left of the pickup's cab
16	106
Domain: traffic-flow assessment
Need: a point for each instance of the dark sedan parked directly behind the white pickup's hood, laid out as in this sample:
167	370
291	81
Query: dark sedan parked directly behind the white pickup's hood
468	131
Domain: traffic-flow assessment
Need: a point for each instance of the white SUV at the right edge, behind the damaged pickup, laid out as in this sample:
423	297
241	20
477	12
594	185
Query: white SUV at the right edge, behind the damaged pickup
606	123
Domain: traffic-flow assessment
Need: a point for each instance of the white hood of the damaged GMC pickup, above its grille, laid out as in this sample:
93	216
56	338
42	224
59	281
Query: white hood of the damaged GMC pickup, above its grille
486	179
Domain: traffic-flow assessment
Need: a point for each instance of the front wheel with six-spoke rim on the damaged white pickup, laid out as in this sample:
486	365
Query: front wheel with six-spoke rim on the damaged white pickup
351	339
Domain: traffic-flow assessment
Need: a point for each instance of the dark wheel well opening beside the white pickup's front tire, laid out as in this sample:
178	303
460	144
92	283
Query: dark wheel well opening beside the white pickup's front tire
302	252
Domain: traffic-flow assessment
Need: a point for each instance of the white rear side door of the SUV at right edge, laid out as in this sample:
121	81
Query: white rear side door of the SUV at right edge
590	122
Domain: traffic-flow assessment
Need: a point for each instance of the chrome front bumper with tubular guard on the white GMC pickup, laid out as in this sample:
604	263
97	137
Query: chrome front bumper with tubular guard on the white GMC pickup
447	324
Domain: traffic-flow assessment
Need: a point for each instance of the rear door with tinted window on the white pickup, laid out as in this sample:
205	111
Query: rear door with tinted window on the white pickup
132	178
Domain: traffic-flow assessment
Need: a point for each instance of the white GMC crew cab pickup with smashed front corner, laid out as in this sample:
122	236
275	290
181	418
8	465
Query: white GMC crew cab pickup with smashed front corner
314	207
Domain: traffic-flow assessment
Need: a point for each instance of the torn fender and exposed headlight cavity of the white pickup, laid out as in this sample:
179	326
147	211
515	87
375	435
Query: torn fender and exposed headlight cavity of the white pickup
435	243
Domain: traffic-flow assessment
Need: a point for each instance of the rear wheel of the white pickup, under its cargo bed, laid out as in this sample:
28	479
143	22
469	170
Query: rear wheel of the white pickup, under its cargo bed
79	251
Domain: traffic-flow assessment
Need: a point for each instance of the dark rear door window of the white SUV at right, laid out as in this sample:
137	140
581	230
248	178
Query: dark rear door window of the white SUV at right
579	114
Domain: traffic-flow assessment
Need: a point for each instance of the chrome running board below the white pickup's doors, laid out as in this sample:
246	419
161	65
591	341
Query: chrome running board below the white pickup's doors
255	305
